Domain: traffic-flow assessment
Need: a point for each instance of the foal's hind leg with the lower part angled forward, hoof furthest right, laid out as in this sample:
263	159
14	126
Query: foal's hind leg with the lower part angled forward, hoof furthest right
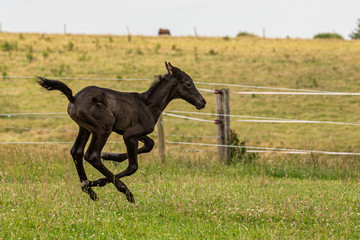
92	155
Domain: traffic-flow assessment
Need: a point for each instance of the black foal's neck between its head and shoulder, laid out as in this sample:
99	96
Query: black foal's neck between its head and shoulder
160	97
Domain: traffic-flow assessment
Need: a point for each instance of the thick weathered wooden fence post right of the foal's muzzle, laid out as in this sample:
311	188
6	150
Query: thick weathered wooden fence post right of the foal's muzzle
223	125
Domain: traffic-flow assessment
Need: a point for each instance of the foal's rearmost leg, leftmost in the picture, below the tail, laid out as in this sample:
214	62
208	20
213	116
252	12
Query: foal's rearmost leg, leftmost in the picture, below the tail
77	152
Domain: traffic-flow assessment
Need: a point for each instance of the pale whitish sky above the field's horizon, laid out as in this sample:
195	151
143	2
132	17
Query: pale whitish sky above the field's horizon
279	18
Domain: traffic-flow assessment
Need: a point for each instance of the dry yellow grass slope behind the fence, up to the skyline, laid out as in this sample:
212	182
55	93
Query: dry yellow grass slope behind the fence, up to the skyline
330	65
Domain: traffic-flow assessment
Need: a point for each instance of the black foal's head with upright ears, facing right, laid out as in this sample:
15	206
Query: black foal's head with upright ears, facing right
184	87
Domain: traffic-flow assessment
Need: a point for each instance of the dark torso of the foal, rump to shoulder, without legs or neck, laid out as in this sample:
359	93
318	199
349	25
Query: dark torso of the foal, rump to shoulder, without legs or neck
96	107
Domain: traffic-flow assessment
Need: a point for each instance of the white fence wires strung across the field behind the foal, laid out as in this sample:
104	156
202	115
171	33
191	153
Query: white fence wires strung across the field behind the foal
170	113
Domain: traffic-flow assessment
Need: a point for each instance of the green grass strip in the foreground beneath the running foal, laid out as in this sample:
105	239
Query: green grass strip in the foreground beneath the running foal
183	199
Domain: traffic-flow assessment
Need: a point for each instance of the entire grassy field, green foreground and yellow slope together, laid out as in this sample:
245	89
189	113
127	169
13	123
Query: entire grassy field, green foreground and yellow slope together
191	196
